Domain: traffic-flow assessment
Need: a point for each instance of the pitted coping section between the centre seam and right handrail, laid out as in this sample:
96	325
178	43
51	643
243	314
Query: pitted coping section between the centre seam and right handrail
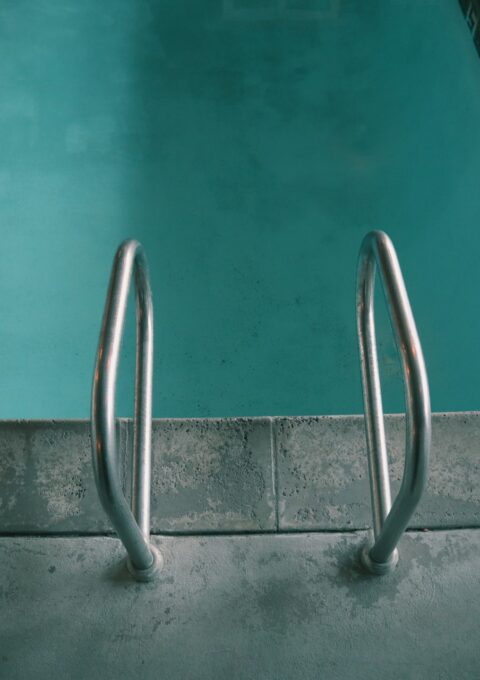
322	475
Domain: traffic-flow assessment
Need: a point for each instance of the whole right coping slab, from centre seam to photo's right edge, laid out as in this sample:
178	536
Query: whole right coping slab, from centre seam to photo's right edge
323	471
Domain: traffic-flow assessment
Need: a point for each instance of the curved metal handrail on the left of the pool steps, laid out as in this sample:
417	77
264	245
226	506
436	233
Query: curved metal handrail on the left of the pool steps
132	525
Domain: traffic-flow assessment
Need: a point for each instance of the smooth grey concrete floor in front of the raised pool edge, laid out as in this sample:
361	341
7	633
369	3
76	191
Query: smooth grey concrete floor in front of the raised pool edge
272	607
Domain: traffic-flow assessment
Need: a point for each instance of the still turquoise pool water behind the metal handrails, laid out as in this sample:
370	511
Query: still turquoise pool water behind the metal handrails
249	147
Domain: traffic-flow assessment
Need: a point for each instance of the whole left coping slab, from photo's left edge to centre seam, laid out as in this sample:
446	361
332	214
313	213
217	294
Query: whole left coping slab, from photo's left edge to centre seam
207	475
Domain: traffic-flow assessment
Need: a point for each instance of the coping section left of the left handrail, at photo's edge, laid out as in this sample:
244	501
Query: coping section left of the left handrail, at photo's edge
46	478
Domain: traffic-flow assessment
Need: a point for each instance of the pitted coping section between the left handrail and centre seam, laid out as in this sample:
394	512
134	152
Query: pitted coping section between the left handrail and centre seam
212	475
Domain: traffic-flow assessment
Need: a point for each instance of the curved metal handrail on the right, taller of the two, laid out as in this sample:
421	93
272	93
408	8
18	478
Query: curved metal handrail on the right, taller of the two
390	521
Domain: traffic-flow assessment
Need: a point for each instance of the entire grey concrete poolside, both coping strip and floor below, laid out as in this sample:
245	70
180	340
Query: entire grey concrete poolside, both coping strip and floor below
261	523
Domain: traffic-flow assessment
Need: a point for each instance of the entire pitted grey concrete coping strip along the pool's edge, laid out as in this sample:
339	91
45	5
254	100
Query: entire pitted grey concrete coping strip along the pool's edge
225	475
